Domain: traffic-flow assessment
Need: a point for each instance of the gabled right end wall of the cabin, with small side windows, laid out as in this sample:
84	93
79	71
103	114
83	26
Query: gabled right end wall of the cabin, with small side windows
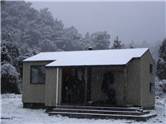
148	98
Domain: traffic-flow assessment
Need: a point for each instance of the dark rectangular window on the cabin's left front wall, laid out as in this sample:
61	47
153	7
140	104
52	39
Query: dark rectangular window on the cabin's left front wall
37	74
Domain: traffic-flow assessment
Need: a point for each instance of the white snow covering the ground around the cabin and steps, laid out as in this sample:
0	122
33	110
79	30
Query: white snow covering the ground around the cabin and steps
13	113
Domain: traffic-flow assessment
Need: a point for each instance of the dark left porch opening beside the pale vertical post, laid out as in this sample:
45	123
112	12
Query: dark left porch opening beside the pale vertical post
73	86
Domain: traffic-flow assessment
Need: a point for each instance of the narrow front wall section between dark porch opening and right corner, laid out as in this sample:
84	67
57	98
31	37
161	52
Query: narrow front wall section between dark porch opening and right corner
133	83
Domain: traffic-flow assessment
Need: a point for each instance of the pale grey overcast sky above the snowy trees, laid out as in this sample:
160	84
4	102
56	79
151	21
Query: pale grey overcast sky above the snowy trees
131	21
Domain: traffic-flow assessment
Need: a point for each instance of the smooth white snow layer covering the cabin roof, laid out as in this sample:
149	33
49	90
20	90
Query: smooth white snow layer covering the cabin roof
89	57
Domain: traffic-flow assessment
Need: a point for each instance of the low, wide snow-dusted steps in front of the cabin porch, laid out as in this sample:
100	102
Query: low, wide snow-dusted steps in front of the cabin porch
135	113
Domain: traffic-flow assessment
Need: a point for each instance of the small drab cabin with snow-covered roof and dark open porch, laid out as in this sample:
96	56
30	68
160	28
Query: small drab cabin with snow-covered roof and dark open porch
119	78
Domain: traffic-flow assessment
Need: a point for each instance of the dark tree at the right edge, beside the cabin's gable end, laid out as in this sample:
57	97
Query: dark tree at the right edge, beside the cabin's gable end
161	64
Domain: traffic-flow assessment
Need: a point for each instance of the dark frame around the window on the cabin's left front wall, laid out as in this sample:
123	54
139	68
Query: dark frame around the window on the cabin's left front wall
37	83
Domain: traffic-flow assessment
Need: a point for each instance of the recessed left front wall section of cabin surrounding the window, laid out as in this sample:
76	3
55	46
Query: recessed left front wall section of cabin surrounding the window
32	93
